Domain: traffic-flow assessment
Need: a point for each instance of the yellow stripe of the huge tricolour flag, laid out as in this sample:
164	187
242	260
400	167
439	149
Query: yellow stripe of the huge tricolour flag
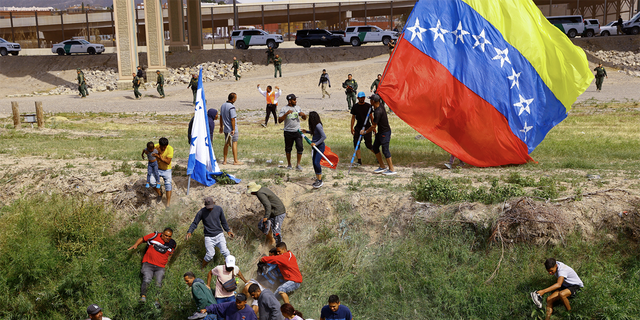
561	65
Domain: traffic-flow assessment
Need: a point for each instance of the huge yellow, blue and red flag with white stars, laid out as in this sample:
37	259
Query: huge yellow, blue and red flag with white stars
484	80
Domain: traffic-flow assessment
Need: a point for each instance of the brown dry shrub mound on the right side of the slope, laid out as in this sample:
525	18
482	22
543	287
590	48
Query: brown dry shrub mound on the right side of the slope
526	220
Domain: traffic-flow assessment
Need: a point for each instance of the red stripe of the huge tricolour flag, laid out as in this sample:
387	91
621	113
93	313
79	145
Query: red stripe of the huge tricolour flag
425	95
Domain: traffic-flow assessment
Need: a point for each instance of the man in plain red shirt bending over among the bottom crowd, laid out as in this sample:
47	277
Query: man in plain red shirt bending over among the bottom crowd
288	265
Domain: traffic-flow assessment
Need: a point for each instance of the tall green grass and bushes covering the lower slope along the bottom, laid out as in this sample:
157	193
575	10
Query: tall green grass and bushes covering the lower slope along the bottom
60	254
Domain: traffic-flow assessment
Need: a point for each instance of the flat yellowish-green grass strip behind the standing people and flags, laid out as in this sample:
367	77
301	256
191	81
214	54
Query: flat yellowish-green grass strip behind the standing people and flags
589	138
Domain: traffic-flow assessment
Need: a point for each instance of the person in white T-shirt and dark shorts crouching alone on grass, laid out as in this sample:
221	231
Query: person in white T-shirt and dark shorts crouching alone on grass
566	287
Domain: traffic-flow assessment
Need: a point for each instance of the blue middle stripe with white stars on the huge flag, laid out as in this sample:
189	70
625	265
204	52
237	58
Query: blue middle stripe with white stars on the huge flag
476	53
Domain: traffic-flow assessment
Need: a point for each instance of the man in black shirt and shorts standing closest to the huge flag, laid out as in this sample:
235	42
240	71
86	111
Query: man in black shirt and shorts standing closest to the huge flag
383	136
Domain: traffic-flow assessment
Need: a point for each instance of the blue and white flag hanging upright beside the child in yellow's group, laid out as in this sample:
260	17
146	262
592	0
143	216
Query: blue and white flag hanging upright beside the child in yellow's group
202	165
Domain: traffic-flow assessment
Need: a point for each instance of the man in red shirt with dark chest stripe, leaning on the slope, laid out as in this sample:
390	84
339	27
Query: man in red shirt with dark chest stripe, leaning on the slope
160	247
